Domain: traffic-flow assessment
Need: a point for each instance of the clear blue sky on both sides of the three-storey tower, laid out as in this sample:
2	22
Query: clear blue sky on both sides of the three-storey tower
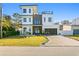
62	11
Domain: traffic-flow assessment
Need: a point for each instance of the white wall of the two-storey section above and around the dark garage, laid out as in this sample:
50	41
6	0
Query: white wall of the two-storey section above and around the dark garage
47	24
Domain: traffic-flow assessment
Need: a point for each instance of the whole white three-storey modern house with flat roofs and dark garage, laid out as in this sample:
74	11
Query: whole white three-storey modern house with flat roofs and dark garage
34	23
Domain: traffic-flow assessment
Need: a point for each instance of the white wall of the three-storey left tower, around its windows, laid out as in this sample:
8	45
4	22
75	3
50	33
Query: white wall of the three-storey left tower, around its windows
27	15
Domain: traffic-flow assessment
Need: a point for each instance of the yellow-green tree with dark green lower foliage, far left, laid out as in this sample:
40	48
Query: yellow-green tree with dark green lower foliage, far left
7	26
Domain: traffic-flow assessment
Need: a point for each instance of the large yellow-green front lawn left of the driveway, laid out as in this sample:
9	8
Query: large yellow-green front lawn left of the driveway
23	41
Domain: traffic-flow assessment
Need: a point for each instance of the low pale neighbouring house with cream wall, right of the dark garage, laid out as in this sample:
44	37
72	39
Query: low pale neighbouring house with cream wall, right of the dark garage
65	28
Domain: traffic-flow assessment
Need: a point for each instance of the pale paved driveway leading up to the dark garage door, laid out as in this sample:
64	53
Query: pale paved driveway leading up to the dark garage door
61	41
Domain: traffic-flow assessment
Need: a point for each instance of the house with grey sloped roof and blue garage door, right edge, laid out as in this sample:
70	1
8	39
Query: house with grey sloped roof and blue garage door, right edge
75	26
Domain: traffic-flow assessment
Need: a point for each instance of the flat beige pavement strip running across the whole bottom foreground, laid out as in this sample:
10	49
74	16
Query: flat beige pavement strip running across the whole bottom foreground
39	51
